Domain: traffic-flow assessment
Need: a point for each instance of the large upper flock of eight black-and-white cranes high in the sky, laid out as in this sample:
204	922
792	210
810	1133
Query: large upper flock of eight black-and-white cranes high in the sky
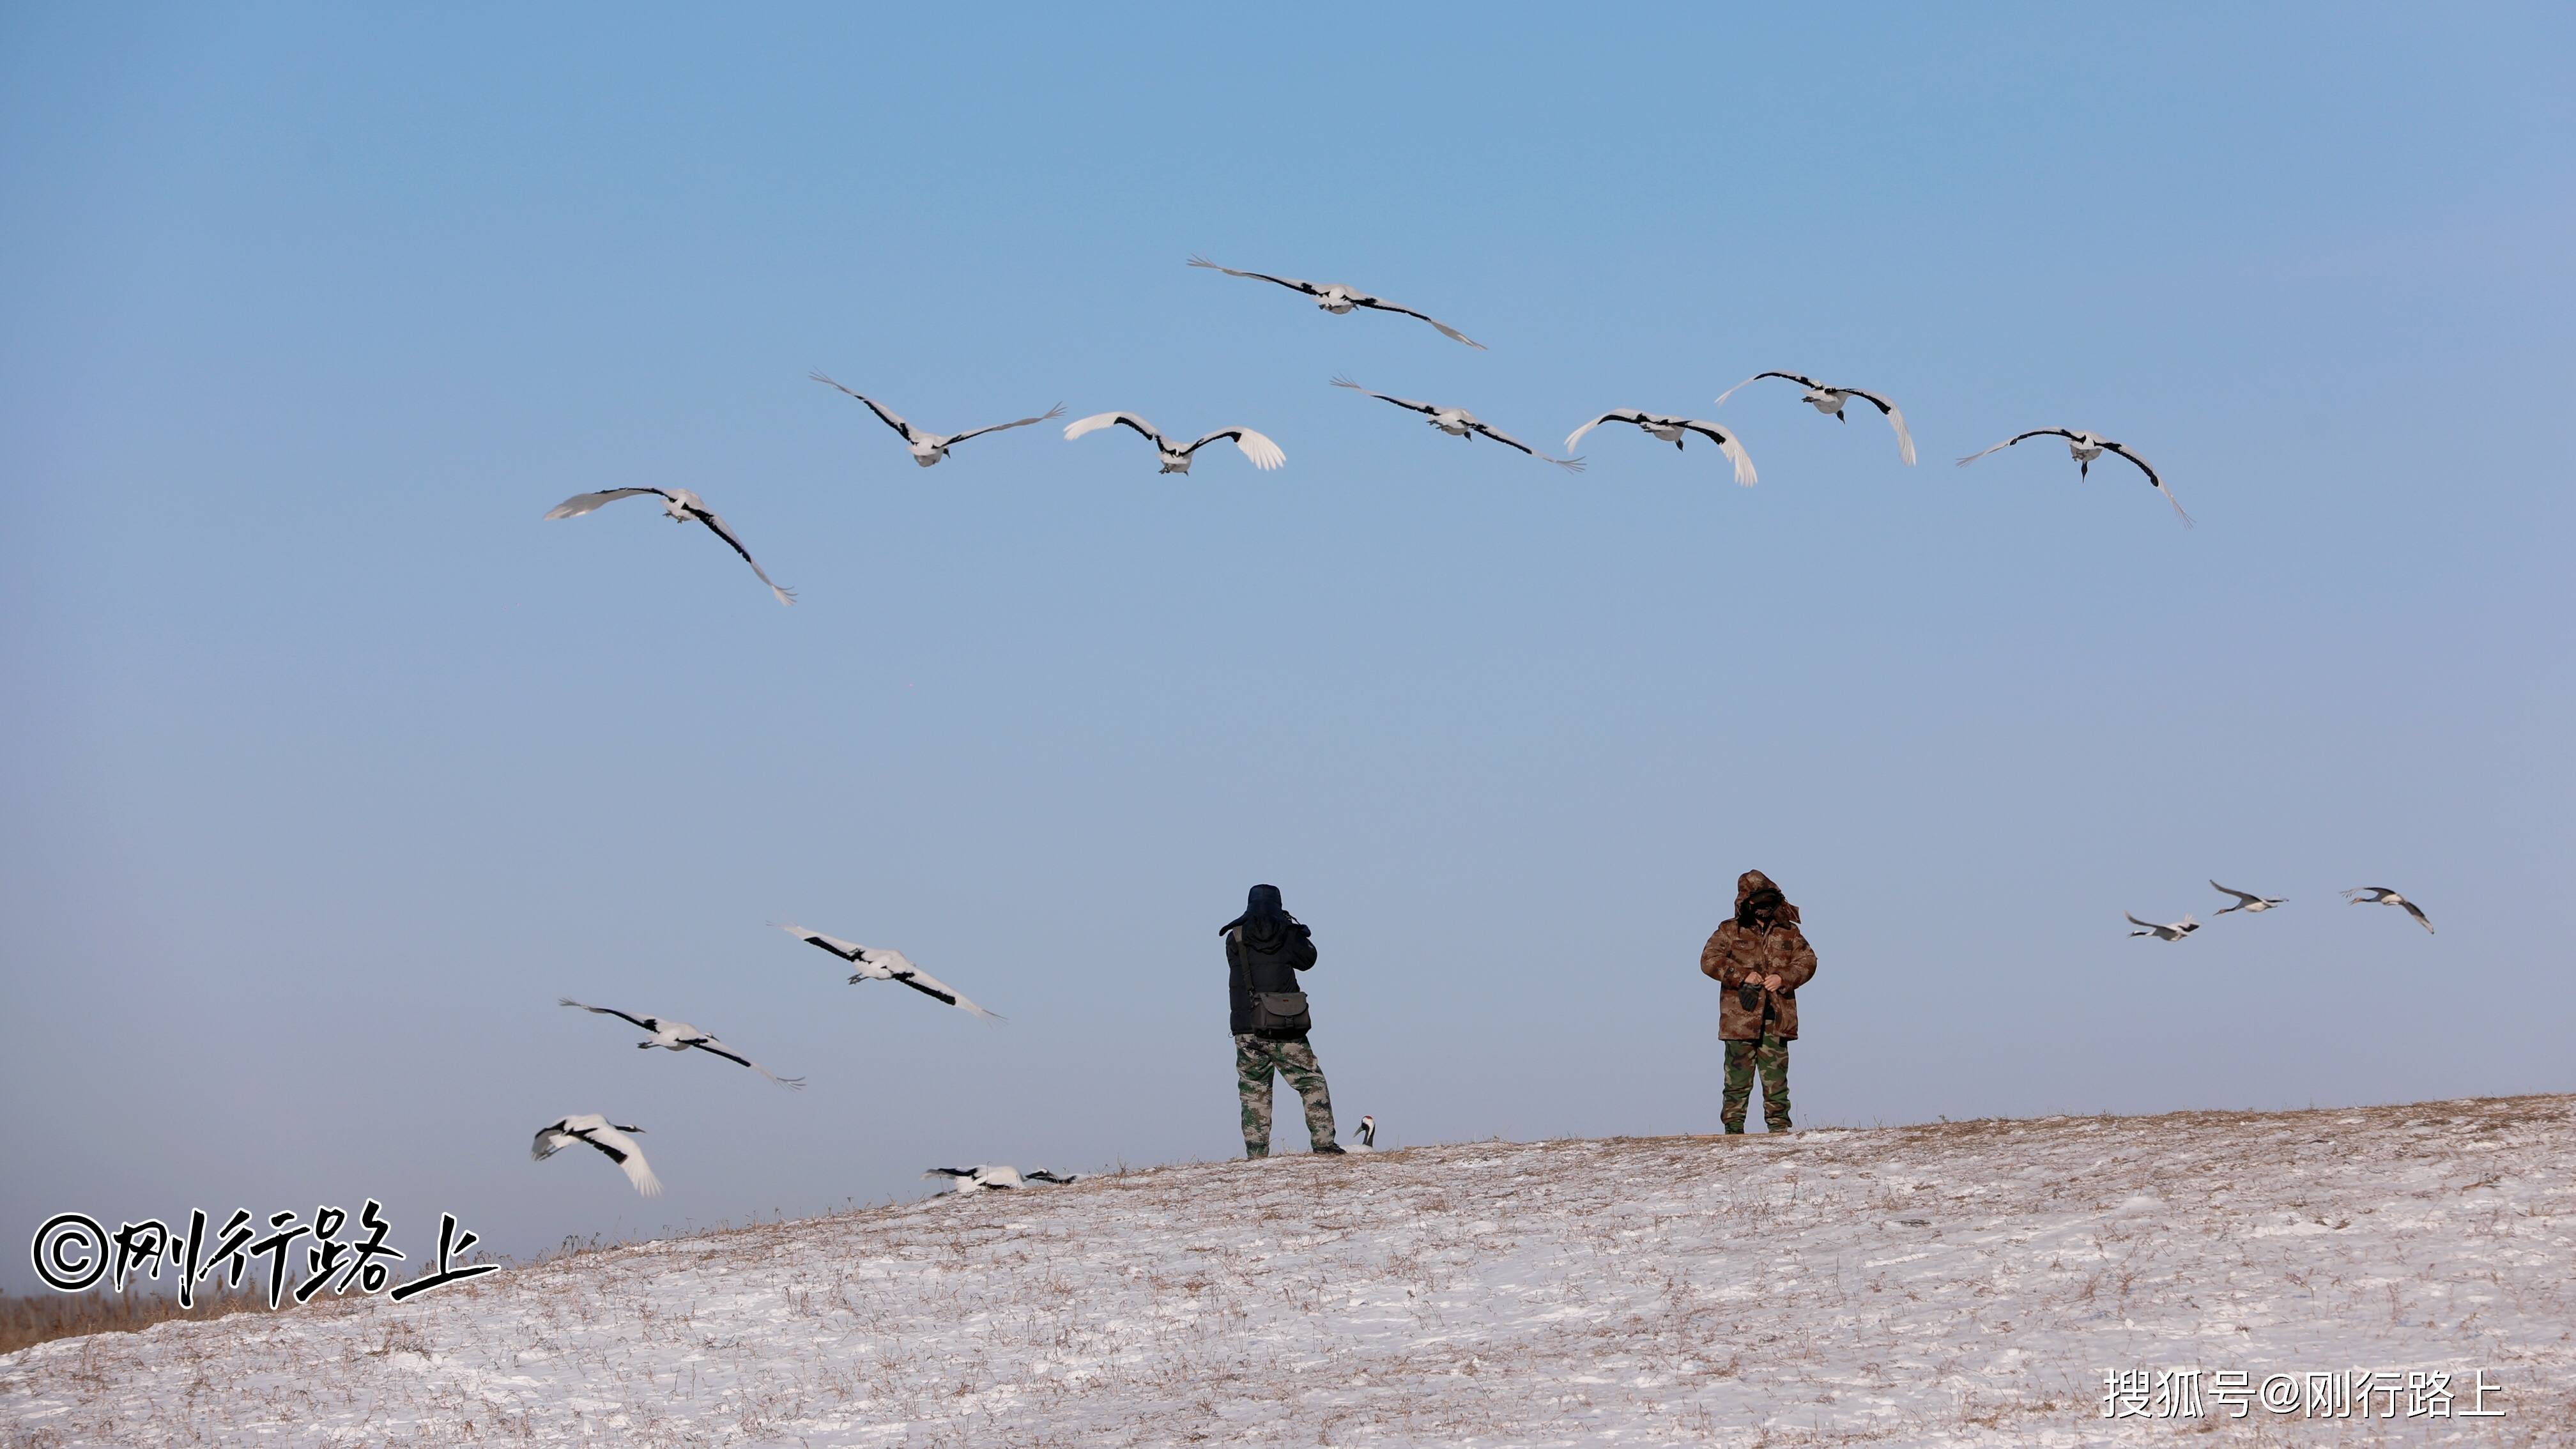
1266	455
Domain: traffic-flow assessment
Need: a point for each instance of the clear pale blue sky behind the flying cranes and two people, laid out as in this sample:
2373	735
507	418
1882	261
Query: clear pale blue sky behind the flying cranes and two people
326	767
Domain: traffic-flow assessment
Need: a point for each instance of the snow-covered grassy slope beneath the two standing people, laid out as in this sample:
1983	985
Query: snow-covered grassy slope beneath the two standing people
1915	1285
